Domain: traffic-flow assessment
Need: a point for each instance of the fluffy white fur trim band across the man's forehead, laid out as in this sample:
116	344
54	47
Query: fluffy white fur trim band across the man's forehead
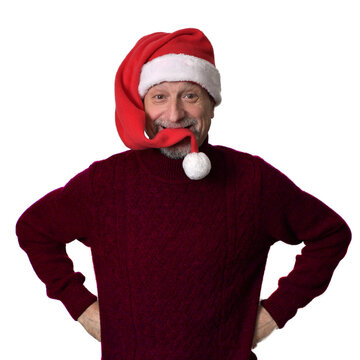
180	67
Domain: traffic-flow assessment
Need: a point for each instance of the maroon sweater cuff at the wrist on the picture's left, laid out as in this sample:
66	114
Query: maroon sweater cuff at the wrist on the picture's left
77	299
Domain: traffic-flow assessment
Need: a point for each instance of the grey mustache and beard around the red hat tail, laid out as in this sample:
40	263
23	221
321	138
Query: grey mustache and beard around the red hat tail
183	147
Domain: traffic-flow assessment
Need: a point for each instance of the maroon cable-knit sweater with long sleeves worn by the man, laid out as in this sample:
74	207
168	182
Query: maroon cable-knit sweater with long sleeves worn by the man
179	263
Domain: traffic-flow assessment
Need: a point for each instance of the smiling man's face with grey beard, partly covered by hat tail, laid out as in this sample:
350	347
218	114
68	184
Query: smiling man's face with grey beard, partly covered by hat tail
178	104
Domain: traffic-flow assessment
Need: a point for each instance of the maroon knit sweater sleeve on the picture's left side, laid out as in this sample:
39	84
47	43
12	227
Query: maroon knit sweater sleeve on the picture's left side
43	231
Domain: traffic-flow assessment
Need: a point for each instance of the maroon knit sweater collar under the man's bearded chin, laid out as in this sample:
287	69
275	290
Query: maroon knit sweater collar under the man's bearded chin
166	169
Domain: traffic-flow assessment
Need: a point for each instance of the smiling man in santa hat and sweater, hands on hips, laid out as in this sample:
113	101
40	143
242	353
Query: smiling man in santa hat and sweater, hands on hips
179	229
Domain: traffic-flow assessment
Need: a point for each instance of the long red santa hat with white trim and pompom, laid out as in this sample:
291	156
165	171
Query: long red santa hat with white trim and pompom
184	55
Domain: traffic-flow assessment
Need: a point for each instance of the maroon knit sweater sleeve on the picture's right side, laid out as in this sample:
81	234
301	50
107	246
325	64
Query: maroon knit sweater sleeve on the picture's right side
294	216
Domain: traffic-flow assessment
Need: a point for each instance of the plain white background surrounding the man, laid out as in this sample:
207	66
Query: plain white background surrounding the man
290	78
